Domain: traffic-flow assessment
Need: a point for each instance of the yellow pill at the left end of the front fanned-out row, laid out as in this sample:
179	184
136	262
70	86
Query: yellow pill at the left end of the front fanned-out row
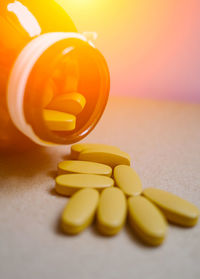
79	211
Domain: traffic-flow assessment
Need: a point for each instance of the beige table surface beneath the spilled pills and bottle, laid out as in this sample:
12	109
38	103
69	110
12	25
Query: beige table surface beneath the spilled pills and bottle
163	139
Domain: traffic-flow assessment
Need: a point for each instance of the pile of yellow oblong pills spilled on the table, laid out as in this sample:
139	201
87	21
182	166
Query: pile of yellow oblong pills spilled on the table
101	183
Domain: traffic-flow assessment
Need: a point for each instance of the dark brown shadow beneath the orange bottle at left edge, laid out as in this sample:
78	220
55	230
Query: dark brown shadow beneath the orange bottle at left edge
25	164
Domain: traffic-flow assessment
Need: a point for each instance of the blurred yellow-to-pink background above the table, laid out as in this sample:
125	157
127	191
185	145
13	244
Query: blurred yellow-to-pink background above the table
152	46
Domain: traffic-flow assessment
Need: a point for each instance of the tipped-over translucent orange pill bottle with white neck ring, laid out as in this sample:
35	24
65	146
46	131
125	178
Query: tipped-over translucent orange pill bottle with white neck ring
41	52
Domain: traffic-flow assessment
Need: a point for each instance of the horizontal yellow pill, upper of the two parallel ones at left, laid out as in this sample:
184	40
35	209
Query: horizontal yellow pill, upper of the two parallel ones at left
84	168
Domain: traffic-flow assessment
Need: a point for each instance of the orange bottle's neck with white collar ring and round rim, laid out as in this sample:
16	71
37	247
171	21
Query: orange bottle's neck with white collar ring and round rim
32	69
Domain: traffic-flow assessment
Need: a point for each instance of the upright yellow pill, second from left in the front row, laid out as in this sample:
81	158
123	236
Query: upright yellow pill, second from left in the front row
111	212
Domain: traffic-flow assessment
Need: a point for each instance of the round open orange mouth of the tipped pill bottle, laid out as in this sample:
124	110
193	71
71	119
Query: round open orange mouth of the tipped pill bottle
69	66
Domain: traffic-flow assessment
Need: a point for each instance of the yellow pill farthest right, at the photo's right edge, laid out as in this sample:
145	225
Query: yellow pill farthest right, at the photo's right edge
176	209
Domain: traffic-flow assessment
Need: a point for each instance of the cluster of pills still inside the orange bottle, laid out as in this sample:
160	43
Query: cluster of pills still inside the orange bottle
60	110
